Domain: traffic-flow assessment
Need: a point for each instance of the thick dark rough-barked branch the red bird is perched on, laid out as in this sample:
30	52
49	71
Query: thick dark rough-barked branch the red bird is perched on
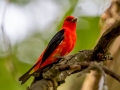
55	75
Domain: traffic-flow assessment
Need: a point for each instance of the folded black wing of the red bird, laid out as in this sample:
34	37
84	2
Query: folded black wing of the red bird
52	45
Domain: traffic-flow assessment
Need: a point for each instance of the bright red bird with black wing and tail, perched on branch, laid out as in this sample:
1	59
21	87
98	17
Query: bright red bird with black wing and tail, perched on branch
60	45
